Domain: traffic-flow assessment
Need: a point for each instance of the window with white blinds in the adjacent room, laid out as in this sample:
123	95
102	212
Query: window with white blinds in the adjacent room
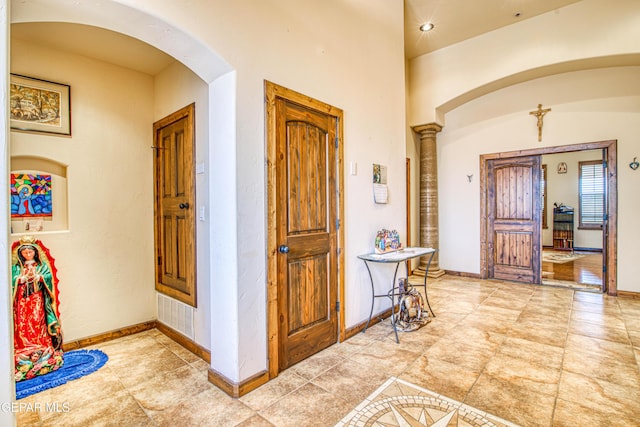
591	194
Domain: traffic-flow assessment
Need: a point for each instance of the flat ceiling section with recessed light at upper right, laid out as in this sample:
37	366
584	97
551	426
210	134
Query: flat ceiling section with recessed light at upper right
458	20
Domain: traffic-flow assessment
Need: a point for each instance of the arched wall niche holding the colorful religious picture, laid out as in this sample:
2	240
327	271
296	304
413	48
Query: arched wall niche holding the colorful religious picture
59	220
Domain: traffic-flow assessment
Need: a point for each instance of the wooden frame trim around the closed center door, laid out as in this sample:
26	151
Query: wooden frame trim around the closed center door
272	92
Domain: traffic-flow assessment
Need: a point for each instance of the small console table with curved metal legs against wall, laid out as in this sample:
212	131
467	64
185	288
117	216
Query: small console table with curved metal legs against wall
397	257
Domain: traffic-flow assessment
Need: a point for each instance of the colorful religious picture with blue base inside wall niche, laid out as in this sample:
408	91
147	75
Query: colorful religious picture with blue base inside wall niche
31	196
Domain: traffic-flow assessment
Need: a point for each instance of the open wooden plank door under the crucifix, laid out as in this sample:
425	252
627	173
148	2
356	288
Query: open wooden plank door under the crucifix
513	219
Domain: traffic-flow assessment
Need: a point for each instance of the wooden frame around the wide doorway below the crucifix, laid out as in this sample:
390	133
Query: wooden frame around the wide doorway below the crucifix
612	200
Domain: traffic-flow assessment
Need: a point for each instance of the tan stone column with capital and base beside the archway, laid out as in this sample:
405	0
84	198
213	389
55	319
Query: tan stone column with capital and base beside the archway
429	236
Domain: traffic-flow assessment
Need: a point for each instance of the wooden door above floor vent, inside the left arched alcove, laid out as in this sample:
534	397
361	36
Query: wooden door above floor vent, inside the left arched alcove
174	205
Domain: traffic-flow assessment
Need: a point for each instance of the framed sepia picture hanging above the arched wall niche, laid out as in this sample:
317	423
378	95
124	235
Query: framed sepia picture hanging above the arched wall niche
39	105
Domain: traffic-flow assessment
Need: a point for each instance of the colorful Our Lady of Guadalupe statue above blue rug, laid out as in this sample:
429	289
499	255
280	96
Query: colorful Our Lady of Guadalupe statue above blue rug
37	337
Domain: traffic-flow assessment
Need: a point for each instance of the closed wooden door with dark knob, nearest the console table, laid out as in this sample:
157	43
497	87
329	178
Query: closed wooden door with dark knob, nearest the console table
306	231
